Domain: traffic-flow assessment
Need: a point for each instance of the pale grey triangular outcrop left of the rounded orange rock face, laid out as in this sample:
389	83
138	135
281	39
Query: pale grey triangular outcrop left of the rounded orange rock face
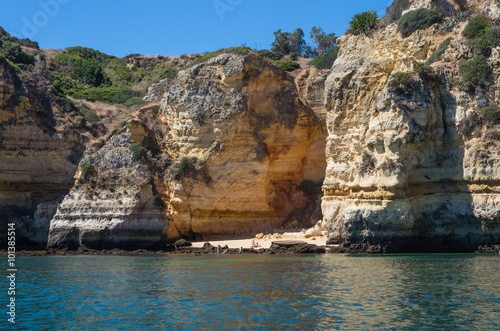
115	204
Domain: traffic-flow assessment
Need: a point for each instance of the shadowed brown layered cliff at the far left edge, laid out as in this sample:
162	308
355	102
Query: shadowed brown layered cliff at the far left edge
37	160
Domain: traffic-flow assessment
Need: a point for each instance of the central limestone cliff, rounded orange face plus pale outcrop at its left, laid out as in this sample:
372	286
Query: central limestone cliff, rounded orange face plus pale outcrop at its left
232	152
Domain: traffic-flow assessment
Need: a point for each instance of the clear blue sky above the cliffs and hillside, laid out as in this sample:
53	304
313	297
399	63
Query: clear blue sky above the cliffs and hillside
166	27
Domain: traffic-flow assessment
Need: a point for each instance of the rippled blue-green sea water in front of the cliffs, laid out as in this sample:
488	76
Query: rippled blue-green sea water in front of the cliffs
249	292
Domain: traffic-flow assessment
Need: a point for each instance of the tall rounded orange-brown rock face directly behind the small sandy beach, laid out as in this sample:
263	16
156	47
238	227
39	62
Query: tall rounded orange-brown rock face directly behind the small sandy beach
254	142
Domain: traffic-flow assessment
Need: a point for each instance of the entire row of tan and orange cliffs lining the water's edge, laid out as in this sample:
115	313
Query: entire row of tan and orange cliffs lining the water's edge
237	147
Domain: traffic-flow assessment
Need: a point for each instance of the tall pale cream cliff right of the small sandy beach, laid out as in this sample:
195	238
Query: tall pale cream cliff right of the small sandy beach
402	172
